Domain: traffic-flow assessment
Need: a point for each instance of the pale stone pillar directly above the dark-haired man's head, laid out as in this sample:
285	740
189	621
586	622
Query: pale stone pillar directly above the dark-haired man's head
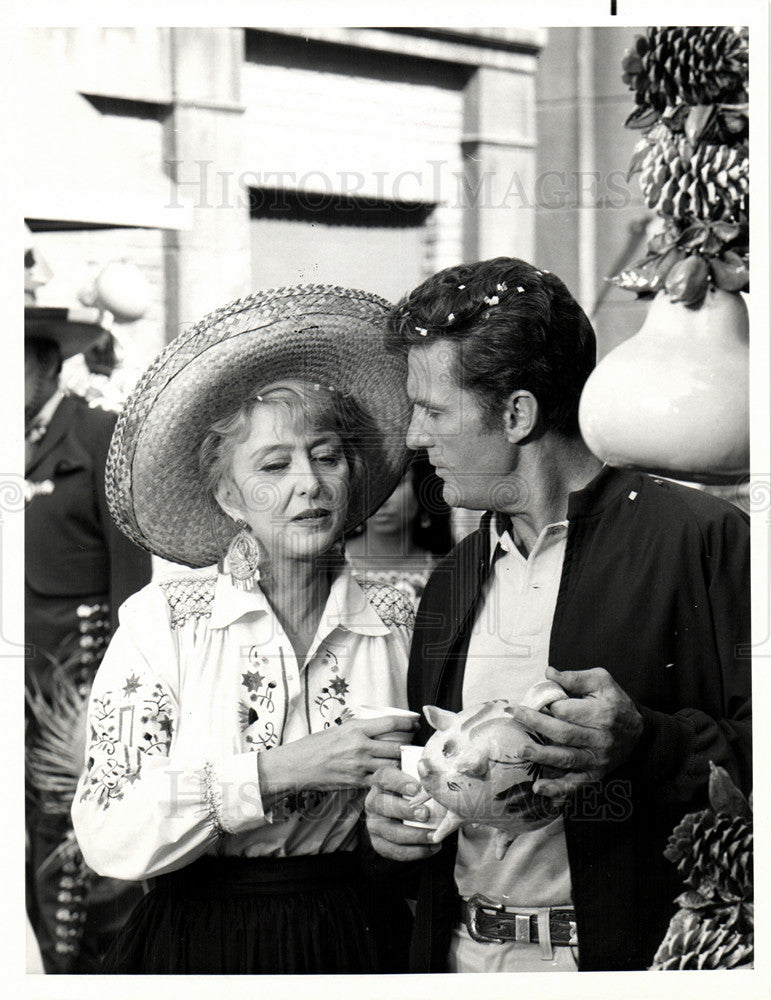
499	158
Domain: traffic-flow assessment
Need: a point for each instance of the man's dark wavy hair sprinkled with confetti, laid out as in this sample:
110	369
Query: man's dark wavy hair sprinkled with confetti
516	327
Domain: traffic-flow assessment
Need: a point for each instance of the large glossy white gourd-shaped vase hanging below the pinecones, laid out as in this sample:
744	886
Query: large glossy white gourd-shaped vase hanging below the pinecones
674	398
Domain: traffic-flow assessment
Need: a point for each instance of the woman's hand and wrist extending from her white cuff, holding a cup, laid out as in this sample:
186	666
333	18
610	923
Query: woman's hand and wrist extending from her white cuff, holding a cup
339	757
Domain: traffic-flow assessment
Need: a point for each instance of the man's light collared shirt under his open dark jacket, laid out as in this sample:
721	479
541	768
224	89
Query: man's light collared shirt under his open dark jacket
508	652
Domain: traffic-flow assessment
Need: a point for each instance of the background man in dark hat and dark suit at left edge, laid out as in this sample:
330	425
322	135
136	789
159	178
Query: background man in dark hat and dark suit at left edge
78	569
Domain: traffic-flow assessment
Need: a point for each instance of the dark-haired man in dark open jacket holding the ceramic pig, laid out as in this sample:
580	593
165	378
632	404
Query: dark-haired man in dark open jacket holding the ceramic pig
631	592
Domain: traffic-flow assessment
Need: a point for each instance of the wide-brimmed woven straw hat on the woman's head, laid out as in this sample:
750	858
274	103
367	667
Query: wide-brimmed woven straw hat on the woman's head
318	333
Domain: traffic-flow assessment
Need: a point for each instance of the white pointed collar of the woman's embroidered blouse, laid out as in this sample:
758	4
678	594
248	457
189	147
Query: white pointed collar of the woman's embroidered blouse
346	606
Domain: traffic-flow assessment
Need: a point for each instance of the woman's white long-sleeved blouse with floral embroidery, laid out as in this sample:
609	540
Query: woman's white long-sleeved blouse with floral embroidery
200	677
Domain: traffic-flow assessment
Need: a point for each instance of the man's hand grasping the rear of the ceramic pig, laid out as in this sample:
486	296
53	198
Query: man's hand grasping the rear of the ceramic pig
595	730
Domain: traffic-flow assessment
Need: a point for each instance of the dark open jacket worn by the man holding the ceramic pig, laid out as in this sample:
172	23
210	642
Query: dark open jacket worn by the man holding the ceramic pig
655	589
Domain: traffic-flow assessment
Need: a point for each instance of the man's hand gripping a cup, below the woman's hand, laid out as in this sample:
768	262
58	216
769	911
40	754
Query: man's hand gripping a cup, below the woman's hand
386	808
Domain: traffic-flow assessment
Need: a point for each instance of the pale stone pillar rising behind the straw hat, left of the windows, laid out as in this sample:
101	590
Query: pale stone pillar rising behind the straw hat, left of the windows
207	265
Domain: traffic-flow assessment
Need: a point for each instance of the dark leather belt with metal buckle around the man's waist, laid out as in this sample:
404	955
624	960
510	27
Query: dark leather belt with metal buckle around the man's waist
492	923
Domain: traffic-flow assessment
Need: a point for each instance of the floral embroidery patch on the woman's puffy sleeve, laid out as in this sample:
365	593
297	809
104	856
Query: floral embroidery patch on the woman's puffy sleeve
124	727
